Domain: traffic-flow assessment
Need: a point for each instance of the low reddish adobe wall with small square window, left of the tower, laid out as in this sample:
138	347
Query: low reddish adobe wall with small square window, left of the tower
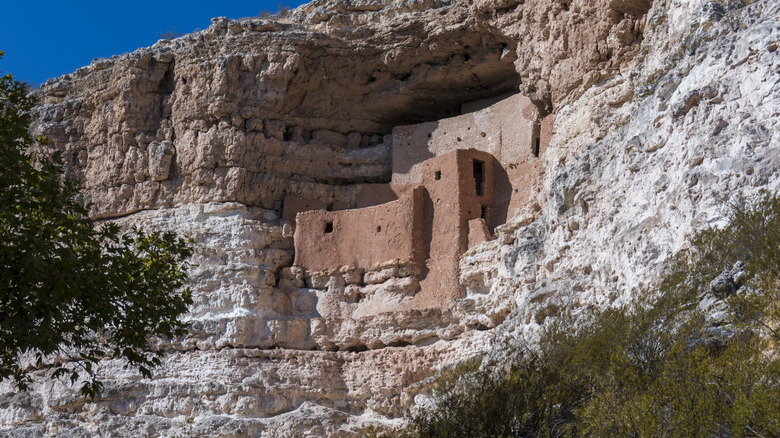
326	240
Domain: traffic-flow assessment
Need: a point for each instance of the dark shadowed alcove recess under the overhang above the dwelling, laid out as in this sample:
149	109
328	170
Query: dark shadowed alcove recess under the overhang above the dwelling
412	87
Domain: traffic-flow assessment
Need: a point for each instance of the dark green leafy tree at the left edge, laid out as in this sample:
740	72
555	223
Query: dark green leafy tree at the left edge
72	293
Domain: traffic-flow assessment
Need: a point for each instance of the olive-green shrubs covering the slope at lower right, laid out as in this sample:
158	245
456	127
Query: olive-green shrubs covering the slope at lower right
696	358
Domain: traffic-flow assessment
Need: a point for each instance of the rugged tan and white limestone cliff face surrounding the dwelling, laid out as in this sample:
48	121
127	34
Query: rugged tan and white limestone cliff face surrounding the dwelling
663	111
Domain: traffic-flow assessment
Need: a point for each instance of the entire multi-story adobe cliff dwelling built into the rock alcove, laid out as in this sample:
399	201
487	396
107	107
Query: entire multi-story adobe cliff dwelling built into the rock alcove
453	182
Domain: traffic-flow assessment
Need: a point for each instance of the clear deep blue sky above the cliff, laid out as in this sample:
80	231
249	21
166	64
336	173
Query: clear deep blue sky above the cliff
45	39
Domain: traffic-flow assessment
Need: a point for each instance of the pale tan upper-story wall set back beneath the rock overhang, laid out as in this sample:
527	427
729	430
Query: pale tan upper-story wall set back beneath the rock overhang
509	128
